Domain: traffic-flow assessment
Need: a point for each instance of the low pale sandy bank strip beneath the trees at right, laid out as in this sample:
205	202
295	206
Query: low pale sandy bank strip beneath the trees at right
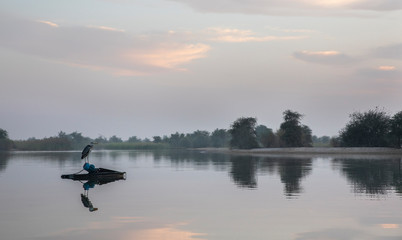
308	151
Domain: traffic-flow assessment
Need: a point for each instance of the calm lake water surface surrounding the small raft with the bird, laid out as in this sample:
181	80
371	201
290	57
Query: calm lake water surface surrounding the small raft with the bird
181	195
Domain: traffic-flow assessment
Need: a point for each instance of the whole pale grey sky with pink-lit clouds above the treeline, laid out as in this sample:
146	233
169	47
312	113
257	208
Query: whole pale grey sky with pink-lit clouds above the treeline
151	68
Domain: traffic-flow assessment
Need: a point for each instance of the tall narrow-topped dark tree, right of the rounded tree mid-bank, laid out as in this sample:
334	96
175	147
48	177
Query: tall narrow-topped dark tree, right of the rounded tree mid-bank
291	130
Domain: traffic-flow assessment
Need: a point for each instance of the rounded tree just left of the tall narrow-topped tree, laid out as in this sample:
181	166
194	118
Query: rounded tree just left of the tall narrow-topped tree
243	133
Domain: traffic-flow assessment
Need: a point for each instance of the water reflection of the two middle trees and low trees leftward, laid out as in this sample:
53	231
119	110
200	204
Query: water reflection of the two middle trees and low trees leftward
243	169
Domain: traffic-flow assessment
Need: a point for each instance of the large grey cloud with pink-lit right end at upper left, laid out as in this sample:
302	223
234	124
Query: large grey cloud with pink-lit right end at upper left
99	48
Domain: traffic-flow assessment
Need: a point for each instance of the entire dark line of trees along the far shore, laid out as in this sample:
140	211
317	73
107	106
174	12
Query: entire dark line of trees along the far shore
374	128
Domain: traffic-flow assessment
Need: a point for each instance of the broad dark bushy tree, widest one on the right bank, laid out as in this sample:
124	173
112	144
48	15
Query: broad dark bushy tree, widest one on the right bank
367	129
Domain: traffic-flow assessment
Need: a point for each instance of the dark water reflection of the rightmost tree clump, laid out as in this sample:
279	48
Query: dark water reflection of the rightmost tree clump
372	176
